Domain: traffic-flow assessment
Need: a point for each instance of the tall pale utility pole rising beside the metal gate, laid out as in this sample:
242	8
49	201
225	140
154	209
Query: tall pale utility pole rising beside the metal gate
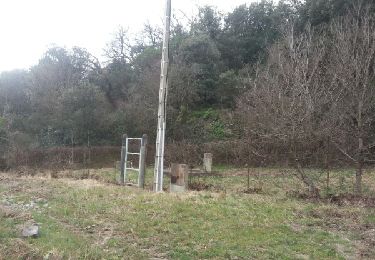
160	138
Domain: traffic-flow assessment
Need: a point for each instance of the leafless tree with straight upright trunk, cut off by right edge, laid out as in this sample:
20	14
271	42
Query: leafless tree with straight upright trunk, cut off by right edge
352	68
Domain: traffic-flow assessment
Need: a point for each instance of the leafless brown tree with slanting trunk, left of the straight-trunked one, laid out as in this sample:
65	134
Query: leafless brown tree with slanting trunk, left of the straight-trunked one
285	100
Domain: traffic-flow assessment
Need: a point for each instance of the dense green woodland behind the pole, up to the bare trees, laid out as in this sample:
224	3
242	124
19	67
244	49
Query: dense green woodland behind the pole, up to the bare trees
69	96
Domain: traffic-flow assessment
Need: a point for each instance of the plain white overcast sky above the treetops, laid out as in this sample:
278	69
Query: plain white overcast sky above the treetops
28	27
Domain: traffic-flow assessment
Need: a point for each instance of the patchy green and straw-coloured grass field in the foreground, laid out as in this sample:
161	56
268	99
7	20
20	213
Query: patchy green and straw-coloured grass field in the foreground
96	219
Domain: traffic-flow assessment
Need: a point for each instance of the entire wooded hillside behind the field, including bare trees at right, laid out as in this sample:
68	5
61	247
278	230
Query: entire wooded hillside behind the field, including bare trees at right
275	83
